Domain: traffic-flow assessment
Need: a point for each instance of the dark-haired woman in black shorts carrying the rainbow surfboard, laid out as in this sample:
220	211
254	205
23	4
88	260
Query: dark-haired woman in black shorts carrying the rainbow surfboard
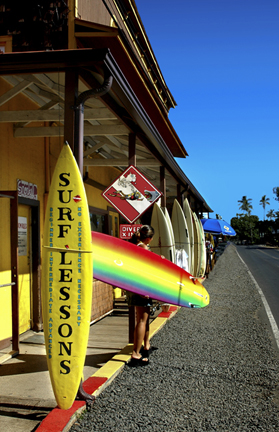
140	357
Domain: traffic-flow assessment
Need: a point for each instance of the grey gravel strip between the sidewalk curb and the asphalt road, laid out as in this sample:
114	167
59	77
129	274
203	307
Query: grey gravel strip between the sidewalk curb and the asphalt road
216	368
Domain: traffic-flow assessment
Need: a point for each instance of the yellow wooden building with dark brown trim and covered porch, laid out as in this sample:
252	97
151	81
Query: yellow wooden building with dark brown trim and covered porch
81	71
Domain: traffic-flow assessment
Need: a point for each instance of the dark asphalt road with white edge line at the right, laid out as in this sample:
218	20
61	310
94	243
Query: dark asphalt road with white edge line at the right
263	263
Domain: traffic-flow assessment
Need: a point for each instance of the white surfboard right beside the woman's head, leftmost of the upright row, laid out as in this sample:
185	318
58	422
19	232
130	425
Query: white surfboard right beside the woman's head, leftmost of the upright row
162	242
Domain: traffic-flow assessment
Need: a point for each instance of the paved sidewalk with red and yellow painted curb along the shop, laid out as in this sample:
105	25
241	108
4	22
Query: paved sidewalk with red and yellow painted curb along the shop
27	402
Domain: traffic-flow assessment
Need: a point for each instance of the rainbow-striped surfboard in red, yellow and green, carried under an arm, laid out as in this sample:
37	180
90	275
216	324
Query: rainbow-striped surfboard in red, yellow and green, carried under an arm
134	269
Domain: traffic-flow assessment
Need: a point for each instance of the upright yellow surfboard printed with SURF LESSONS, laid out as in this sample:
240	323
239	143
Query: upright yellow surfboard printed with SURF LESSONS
67	278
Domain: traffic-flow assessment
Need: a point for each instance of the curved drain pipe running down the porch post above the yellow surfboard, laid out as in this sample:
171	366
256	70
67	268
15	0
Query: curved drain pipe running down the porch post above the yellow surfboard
79	117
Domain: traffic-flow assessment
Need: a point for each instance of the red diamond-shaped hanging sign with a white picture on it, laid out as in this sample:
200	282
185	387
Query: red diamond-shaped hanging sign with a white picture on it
131	194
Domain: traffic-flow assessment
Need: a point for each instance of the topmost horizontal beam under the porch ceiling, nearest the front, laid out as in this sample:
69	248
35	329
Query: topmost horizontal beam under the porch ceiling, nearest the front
52	115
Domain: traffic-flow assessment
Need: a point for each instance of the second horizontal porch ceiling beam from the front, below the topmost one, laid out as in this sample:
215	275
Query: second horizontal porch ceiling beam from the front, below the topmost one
56	131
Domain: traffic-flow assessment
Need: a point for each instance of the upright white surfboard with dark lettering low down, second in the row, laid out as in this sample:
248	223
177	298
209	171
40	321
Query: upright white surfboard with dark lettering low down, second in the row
181	237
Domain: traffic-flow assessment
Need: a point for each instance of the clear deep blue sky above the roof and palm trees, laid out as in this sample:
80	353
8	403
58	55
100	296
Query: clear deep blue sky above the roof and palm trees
220	60
